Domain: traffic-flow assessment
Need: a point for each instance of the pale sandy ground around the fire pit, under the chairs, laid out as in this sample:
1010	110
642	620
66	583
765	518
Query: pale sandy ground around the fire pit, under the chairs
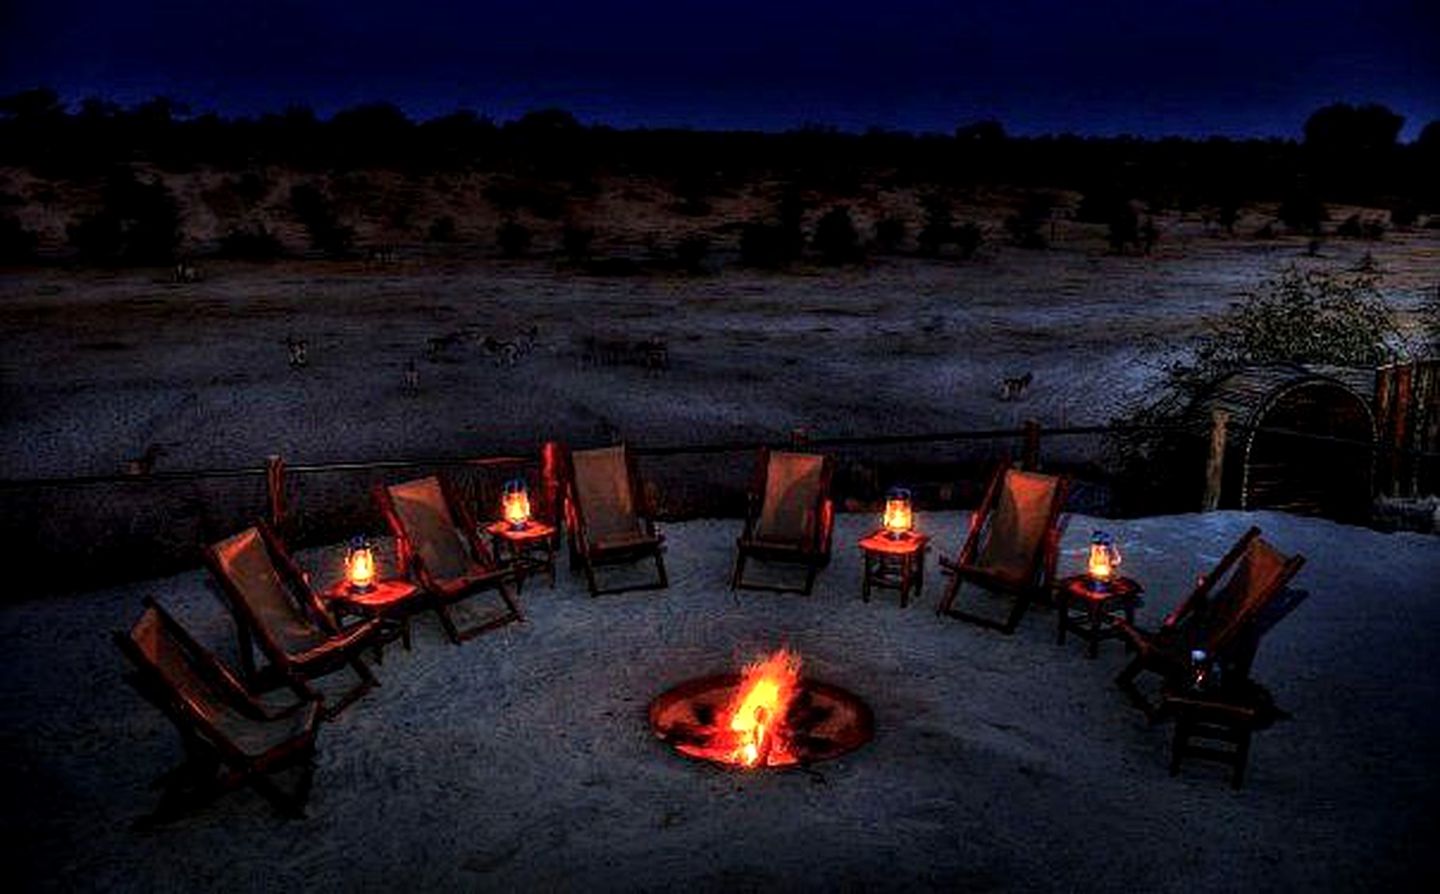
522	761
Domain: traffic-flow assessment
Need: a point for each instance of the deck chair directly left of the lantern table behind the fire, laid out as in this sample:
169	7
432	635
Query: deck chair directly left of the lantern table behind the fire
790	518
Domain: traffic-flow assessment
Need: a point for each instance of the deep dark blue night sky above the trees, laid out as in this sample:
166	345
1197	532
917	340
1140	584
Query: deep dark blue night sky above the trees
1153	68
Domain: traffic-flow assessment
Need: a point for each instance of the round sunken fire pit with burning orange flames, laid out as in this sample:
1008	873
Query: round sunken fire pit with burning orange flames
767	716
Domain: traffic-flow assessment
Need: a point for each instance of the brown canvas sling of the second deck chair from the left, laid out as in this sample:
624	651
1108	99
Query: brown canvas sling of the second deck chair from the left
247	564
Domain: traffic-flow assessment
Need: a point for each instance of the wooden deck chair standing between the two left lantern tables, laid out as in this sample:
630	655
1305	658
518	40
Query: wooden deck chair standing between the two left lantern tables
441	548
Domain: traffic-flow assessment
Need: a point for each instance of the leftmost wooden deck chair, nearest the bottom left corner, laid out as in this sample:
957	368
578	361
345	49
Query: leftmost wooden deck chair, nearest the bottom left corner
230	738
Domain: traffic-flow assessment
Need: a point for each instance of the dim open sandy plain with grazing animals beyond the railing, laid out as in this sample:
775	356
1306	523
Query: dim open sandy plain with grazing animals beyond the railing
100	368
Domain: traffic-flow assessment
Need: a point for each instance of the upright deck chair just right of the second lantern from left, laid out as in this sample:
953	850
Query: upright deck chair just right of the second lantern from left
608	518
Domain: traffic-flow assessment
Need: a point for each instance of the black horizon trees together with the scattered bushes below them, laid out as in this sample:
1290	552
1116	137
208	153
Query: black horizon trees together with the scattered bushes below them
546	159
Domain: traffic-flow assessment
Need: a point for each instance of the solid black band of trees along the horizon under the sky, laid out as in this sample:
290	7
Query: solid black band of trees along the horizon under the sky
1347	155
